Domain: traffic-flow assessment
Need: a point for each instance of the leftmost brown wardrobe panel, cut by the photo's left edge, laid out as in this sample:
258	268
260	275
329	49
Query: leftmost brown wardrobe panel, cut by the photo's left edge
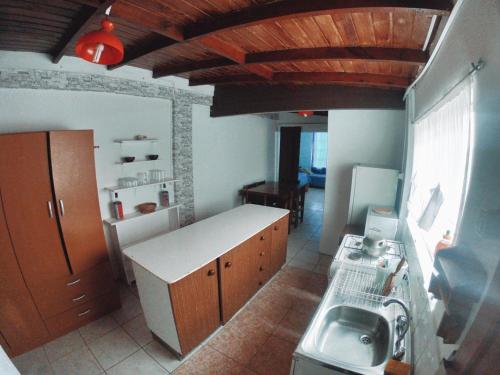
21	327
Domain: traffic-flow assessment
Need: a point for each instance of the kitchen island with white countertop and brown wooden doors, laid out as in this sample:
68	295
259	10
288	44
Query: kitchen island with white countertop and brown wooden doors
194	279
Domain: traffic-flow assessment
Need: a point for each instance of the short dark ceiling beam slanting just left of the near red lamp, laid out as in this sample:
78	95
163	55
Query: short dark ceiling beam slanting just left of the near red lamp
78	27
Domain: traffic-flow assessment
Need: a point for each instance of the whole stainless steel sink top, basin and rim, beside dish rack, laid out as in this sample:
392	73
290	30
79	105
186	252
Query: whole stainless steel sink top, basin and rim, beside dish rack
348	333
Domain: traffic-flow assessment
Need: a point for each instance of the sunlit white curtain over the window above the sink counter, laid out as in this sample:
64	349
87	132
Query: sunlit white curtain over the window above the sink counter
440	160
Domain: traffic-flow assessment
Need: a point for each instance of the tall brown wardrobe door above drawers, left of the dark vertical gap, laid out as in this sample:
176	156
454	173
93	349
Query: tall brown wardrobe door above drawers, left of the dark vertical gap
29	207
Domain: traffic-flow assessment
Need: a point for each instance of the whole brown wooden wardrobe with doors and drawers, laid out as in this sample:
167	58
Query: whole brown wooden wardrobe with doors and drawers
55	274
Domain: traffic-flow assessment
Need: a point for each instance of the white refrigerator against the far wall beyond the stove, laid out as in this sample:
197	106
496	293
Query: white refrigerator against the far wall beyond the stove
371	186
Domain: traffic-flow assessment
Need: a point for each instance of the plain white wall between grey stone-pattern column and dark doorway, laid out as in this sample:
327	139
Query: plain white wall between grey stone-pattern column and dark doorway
228	152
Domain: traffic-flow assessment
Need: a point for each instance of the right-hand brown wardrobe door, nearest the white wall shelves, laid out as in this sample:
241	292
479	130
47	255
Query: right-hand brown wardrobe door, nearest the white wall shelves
75	187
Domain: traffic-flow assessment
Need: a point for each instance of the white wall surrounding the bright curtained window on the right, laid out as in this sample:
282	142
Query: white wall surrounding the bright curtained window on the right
472	36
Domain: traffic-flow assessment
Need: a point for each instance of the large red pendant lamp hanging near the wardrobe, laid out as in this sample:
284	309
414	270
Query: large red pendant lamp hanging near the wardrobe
101	46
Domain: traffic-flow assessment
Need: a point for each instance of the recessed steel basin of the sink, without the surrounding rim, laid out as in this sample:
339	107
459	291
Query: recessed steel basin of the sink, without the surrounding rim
353	335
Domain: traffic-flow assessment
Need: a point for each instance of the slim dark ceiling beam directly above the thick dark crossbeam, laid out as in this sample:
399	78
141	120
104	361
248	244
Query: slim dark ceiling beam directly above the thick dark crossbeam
378	80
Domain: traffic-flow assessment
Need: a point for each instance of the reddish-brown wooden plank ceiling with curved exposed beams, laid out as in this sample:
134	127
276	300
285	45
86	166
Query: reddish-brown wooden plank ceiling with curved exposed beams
371	43
